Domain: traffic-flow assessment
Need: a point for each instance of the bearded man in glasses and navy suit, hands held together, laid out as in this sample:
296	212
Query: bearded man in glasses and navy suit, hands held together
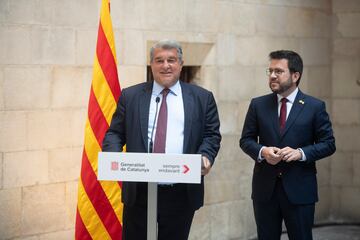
286	132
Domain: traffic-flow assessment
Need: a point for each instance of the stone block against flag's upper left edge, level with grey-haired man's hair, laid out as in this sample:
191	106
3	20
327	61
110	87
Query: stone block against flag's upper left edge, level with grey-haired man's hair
86	46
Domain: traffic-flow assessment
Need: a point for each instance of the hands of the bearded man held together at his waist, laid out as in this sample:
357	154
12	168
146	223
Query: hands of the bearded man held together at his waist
273	155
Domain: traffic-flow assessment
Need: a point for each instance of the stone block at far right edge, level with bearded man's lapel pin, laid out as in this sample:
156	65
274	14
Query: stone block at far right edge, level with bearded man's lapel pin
343	114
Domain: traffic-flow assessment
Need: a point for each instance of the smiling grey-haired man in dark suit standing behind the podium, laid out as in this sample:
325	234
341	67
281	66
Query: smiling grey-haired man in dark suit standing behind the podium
187	122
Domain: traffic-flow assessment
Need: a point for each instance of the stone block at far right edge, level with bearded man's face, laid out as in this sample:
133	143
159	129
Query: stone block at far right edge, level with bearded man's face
345	78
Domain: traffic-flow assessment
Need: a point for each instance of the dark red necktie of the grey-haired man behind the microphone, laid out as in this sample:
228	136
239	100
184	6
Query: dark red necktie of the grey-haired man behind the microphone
161	126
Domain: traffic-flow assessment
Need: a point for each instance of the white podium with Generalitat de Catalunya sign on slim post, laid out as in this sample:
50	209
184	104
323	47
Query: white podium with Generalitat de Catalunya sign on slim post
151	168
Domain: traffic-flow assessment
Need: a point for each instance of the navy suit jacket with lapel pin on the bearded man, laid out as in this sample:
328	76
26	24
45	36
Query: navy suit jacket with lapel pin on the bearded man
308	127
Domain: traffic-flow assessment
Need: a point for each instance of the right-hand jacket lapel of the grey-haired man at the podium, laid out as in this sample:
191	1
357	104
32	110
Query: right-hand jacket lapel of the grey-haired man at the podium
188	101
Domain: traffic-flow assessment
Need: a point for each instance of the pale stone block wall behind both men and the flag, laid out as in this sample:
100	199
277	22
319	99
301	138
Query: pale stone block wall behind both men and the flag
46	55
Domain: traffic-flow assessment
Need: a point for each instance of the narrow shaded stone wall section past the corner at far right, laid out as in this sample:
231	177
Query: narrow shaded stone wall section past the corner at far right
345	164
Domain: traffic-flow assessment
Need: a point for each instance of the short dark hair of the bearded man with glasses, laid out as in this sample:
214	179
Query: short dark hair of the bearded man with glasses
294	61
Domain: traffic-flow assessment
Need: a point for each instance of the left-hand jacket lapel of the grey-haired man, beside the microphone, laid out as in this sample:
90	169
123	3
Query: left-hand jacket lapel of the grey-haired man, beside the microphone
144	105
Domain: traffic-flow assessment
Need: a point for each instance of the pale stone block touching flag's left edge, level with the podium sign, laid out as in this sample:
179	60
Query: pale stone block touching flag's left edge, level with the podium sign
64	164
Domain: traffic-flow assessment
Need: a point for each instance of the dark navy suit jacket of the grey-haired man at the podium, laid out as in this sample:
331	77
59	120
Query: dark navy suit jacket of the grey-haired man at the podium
129	126
